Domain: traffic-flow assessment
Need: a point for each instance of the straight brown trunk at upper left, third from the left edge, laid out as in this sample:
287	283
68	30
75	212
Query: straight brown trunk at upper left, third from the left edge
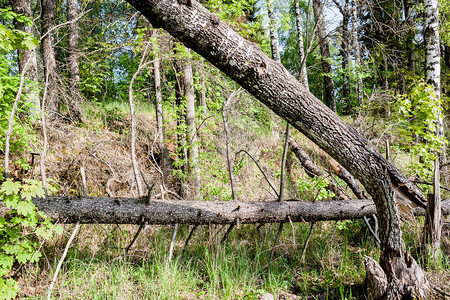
72	61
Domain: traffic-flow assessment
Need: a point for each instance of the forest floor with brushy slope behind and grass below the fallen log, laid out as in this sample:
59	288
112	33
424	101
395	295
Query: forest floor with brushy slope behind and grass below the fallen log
246	265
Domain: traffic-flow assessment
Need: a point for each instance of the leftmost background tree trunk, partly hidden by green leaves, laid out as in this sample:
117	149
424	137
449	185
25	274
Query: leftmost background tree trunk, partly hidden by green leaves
23	7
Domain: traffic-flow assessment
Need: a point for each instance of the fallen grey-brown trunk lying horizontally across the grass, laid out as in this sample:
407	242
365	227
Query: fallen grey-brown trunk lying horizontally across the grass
105	210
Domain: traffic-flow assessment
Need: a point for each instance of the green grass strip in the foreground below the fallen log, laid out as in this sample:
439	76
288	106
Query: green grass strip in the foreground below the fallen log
97	268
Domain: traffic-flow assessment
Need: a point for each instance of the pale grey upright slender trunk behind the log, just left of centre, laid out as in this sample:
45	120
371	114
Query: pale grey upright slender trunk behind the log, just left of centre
194	172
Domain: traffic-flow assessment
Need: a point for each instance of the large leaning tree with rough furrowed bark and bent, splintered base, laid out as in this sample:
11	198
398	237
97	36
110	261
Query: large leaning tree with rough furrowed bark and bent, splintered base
272	84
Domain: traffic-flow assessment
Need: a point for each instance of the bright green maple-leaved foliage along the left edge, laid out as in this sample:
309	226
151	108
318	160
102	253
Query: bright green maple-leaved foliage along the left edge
22	224
